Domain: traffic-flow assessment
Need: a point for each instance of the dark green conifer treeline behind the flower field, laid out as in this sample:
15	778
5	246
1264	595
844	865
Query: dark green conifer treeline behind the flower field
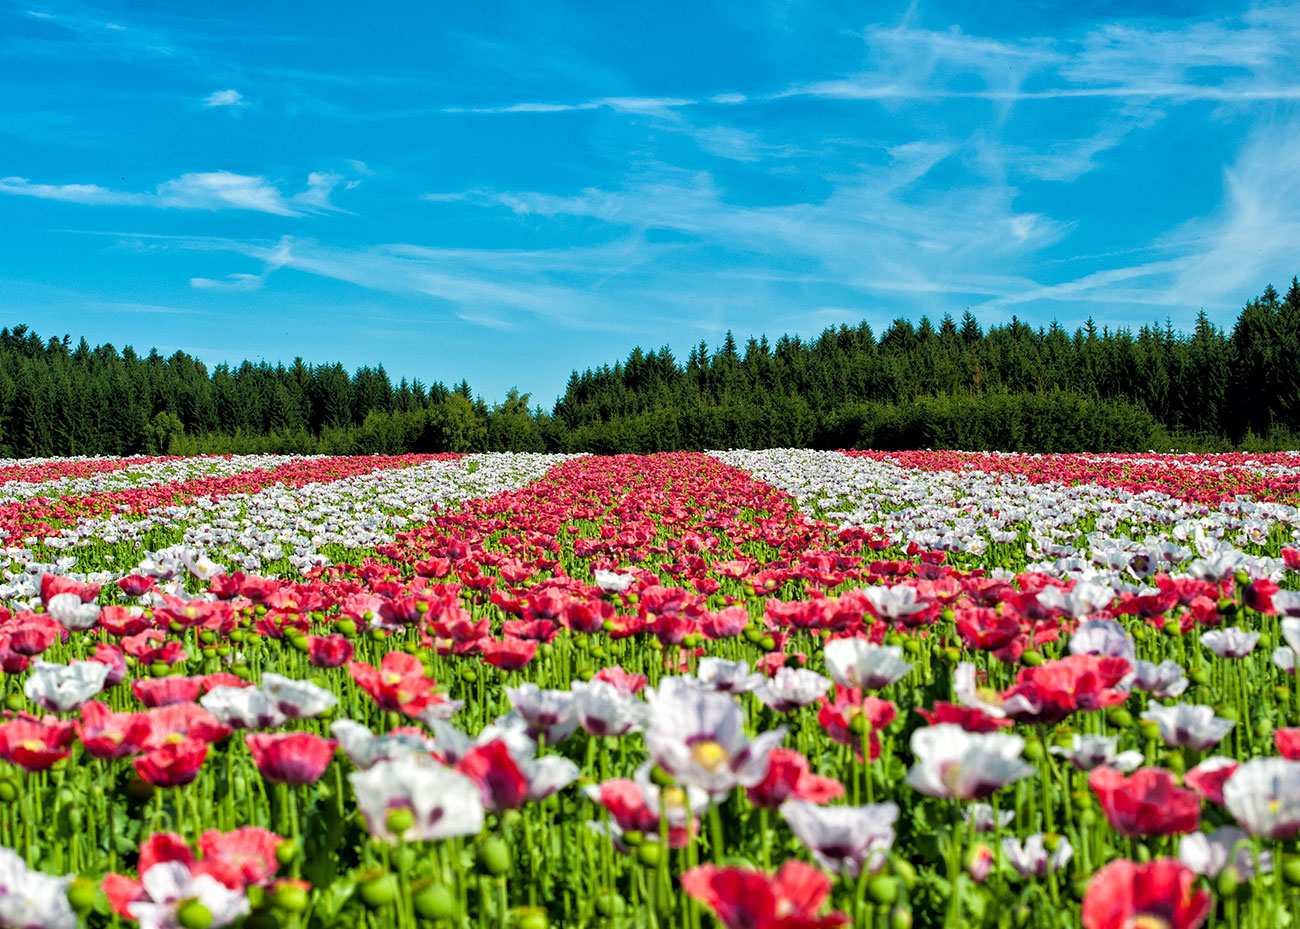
954	385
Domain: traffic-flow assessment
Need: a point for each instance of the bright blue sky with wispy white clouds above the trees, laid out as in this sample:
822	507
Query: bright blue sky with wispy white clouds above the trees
509	192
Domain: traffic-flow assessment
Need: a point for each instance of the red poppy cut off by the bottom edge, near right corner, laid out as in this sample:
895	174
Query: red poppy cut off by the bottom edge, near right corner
1129	896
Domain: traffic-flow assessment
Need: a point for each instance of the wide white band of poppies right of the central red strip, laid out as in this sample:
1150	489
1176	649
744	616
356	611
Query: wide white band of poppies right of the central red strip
1087	532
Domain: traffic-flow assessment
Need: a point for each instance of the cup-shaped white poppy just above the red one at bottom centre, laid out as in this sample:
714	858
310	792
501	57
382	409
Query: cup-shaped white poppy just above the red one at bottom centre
844	840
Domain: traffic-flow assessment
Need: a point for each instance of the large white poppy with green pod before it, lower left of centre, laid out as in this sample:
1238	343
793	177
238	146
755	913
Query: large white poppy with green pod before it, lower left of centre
443	802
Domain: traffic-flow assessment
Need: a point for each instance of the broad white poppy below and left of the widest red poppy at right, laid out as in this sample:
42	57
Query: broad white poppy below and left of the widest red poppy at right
955	763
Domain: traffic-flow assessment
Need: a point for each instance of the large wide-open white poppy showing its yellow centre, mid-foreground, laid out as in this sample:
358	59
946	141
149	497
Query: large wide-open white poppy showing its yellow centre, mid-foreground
699	737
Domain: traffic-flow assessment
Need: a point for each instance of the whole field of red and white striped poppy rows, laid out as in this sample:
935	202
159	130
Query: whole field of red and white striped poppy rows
779	689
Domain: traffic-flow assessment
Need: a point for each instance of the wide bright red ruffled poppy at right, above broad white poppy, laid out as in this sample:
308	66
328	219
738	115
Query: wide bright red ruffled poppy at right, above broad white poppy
1058	689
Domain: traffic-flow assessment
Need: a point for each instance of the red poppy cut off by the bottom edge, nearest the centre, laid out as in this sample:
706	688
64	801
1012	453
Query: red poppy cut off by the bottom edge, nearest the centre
751	900
